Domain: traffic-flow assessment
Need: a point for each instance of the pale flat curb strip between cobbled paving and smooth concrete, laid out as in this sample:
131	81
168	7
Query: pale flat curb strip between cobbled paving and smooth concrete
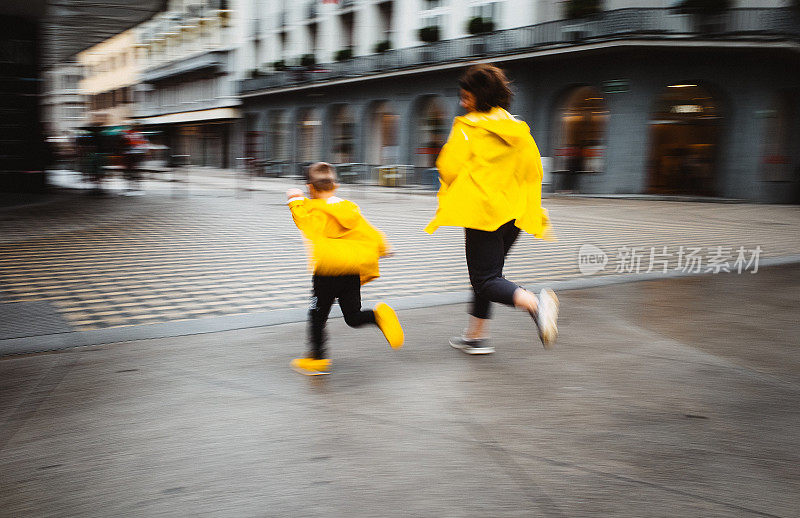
53	342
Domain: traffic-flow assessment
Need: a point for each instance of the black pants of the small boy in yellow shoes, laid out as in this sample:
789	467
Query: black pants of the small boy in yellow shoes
346	288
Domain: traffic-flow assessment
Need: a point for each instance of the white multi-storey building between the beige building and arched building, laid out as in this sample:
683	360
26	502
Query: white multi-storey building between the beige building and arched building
186	98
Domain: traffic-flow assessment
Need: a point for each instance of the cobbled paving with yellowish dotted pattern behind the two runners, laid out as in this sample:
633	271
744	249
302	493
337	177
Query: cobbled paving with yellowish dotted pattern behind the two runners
108	261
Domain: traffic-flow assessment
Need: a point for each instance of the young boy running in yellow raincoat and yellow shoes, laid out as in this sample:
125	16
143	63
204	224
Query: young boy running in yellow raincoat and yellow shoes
344	251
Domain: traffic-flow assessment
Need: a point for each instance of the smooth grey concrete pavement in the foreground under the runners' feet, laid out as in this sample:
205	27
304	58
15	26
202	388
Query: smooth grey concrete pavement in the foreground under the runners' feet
675	397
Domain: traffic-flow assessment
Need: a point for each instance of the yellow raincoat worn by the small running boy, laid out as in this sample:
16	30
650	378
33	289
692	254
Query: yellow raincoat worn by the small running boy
341	241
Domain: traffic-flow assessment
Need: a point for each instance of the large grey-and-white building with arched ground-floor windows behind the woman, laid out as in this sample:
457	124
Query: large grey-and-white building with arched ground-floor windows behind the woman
639	98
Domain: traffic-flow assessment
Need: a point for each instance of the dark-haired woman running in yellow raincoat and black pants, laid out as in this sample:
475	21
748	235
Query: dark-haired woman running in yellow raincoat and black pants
491	184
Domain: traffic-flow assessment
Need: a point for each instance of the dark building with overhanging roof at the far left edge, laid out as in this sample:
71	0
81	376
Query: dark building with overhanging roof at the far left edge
46	35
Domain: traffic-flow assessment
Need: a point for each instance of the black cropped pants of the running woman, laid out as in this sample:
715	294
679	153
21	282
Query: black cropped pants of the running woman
486	254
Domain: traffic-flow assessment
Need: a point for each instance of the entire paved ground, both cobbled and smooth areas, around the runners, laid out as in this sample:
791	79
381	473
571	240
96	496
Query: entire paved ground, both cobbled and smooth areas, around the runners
668	397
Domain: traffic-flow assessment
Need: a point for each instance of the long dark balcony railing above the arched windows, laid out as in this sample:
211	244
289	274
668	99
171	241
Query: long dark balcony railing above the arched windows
656	23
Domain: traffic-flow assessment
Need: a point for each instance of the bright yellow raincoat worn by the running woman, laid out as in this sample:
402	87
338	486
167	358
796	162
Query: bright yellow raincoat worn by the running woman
491	173
